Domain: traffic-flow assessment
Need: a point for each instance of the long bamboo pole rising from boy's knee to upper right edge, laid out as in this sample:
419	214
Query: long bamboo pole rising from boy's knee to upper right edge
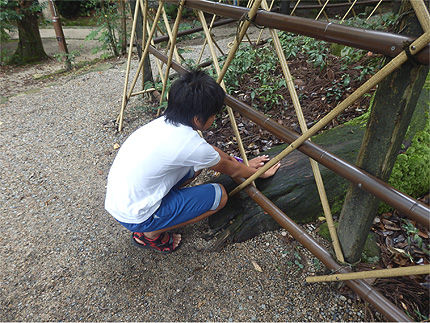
414	48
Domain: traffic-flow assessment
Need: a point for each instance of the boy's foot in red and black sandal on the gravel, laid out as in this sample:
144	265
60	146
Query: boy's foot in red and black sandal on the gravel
165	242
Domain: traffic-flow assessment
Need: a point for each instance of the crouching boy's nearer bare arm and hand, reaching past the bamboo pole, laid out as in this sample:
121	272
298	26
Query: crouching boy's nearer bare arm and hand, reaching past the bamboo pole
230	166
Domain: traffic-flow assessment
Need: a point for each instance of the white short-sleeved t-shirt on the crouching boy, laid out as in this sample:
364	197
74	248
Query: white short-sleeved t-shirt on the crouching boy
149	163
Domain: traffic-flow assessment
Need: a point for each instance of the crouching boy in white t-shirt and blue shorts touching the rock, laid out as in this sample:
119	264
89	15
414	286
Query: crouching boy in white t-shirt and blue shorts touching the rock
145	190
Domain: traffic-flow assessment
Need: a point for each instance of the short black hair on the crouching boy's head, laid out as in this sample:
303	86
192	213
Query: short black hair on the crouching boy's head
194	94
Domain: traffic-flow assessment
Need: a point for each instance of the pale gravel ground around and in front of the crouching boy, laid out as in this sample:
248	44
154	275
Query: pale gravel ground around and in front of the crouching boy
63	258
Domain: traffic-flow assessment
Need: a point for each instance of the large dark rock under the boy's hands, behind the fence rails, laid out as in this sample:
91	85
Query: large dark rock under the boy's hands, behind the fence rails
292	189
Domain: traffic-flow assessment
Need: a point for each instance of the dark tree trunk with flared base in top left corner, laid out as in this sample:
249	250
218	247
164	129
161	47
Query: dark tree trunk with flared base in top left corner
30	47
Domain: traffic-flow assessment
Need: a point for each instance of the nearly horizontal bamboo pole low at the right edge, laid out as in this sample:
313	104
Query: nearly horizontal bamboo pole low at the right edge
381	273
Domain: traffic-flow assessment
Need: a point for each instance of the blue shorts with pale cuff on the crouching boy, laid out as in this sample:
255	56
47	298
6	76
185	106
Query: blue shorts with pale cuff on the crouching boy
180	205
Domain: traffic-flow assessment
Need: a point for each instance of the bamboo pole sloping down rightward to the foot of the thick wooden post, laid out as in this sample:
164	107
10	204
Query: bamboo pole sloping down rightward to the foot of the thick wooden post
304	128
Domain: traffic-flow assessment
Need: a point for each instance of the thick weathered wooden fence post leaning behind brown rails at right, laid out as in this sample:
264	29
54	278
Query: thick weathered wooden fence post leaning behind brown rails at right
394	104
